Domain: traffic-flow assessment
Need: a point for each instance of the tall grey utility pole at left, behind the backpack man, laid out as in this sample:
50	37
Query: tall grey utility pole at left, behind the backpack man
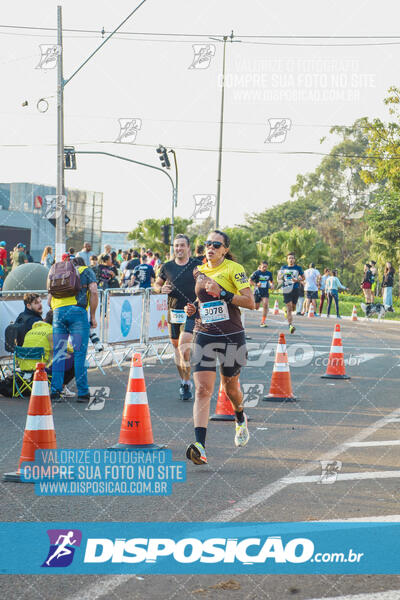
60	210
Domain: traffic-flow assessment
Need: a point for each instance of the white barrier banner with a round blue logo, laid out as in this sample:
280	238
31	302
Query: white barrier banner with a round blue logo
125	318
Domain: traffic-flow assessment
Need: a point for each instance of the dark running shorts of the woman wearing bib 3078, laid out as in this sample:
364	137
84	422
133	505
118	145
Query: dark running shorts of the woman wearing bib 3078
229	350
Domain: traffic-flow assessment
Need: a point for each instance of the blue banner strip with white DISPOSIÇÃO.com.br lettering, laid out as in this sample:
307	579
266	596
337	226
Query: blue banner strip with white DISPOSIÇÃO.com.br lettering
196	548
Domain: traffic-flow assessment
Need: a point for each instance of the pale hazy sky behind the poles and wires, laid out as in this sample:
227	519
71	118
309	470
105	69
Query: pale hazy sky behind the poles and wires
306	84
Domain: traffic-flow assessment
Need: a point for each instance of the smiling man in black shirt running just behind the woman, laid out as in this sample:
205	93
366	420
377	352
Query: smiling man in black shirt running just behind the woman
176	279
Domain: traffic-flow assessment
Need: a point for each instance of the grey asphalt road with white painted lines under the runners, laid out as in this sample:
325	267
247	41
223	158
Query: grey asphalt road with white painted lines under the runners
276	477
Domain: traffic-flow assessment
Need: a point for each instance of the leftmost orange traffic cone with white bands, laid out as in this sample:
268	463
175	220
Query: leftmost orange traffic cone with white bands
39	429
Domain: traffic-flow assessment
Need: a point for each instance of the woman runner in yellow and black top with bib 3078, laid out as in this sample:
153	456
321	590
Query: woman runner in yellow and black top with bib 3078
221	287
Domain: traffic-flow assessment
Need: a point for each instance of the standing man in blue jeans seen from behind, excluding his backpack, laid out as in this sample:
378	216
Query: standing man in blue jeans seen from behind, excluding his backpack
71	318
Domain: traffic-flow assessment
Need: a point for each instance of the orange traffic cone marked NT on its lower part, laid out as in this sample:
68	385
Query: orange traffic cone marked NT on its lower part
136	432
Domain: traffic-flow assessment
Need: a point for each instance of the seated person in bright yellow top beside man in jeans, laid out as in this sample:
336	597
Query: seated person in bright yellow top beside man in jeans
41	337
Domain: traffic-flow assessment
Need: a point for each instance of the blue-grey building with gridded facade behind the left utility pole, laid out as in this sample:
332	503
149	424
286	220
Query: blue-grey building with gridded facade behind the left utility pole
23	217
